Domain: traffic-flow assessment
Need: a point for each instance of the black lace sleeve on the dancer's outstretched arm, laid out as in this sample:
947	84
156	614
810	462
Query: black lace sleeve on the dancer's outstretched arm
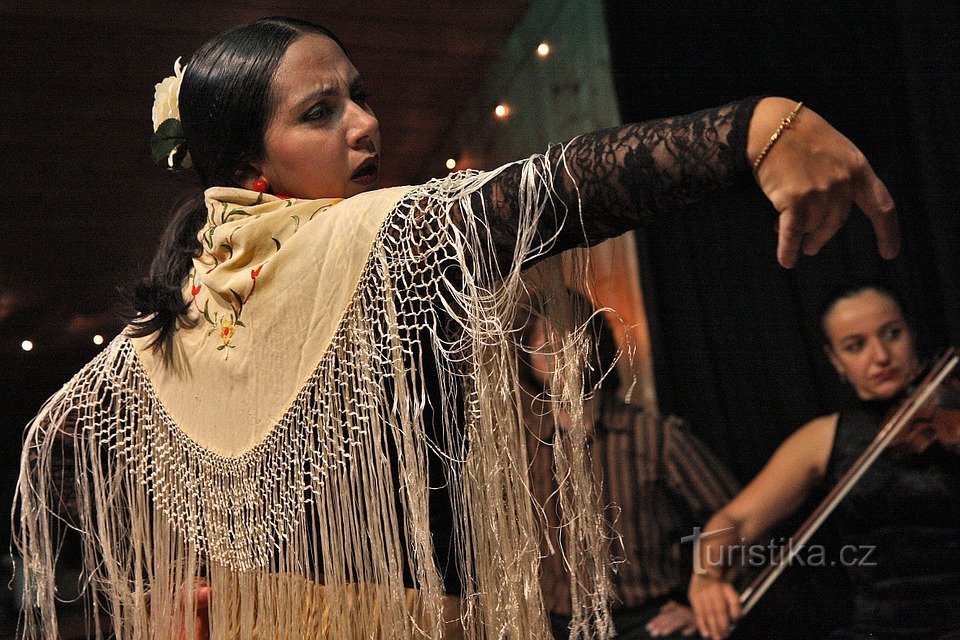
620	176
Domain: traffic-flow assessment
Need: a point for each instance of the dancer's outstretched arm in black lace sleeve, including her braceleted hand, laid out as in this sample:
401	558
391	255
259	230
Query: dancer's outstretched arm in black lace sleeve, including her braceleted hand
611	180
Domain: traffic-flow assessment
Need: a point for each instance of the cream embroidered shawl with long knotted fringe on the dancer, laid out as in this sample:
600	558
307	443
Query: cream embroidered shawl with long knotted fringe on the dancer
285	446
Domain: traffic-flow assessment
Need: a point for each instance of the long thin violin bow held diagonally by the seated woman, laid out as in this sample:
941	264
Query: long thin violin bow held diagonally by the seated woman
938	373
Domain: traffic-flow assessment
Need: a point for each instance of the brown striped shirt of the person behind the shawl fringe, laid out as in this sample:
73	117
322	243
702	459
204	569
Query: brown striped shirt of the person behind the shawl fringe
659	481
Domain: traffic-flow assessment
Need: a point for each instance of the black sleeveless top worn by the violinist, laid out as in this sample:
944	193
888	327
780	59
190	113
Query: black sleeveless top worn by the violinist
900	527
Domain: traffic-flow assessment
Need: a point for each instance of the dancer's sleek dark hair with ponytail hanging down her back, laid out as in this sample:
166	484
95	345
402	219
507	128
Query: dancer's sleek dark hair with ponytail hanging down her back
225	105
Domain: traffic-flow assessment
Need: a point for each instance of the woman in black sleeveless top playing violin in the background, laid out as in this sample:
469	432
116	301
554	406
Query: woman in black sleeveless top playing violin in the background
902	517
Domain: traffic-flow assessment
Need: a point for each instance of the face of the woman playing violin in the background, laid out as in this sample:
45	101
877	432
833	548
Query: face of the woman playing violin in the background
871	345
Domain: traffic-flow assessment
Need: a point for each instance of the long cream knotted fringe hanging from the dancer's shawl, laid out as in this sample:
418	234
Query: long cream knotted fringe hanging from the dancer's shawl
310	533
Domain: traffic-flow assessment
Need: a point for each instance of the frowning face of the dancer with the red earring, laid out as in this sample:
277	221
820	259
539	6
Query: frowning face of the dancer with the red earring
323	140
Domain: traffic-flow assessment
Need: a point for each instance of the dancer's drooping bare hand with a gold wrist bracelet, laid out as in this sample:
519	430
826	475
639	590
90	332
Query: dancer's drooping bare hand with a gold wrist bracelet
813	175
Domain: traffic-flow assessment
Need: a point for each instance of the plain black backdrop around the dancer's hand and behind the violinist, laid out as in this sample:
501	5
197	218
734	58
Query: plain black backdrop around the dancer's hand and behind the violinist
736	346
